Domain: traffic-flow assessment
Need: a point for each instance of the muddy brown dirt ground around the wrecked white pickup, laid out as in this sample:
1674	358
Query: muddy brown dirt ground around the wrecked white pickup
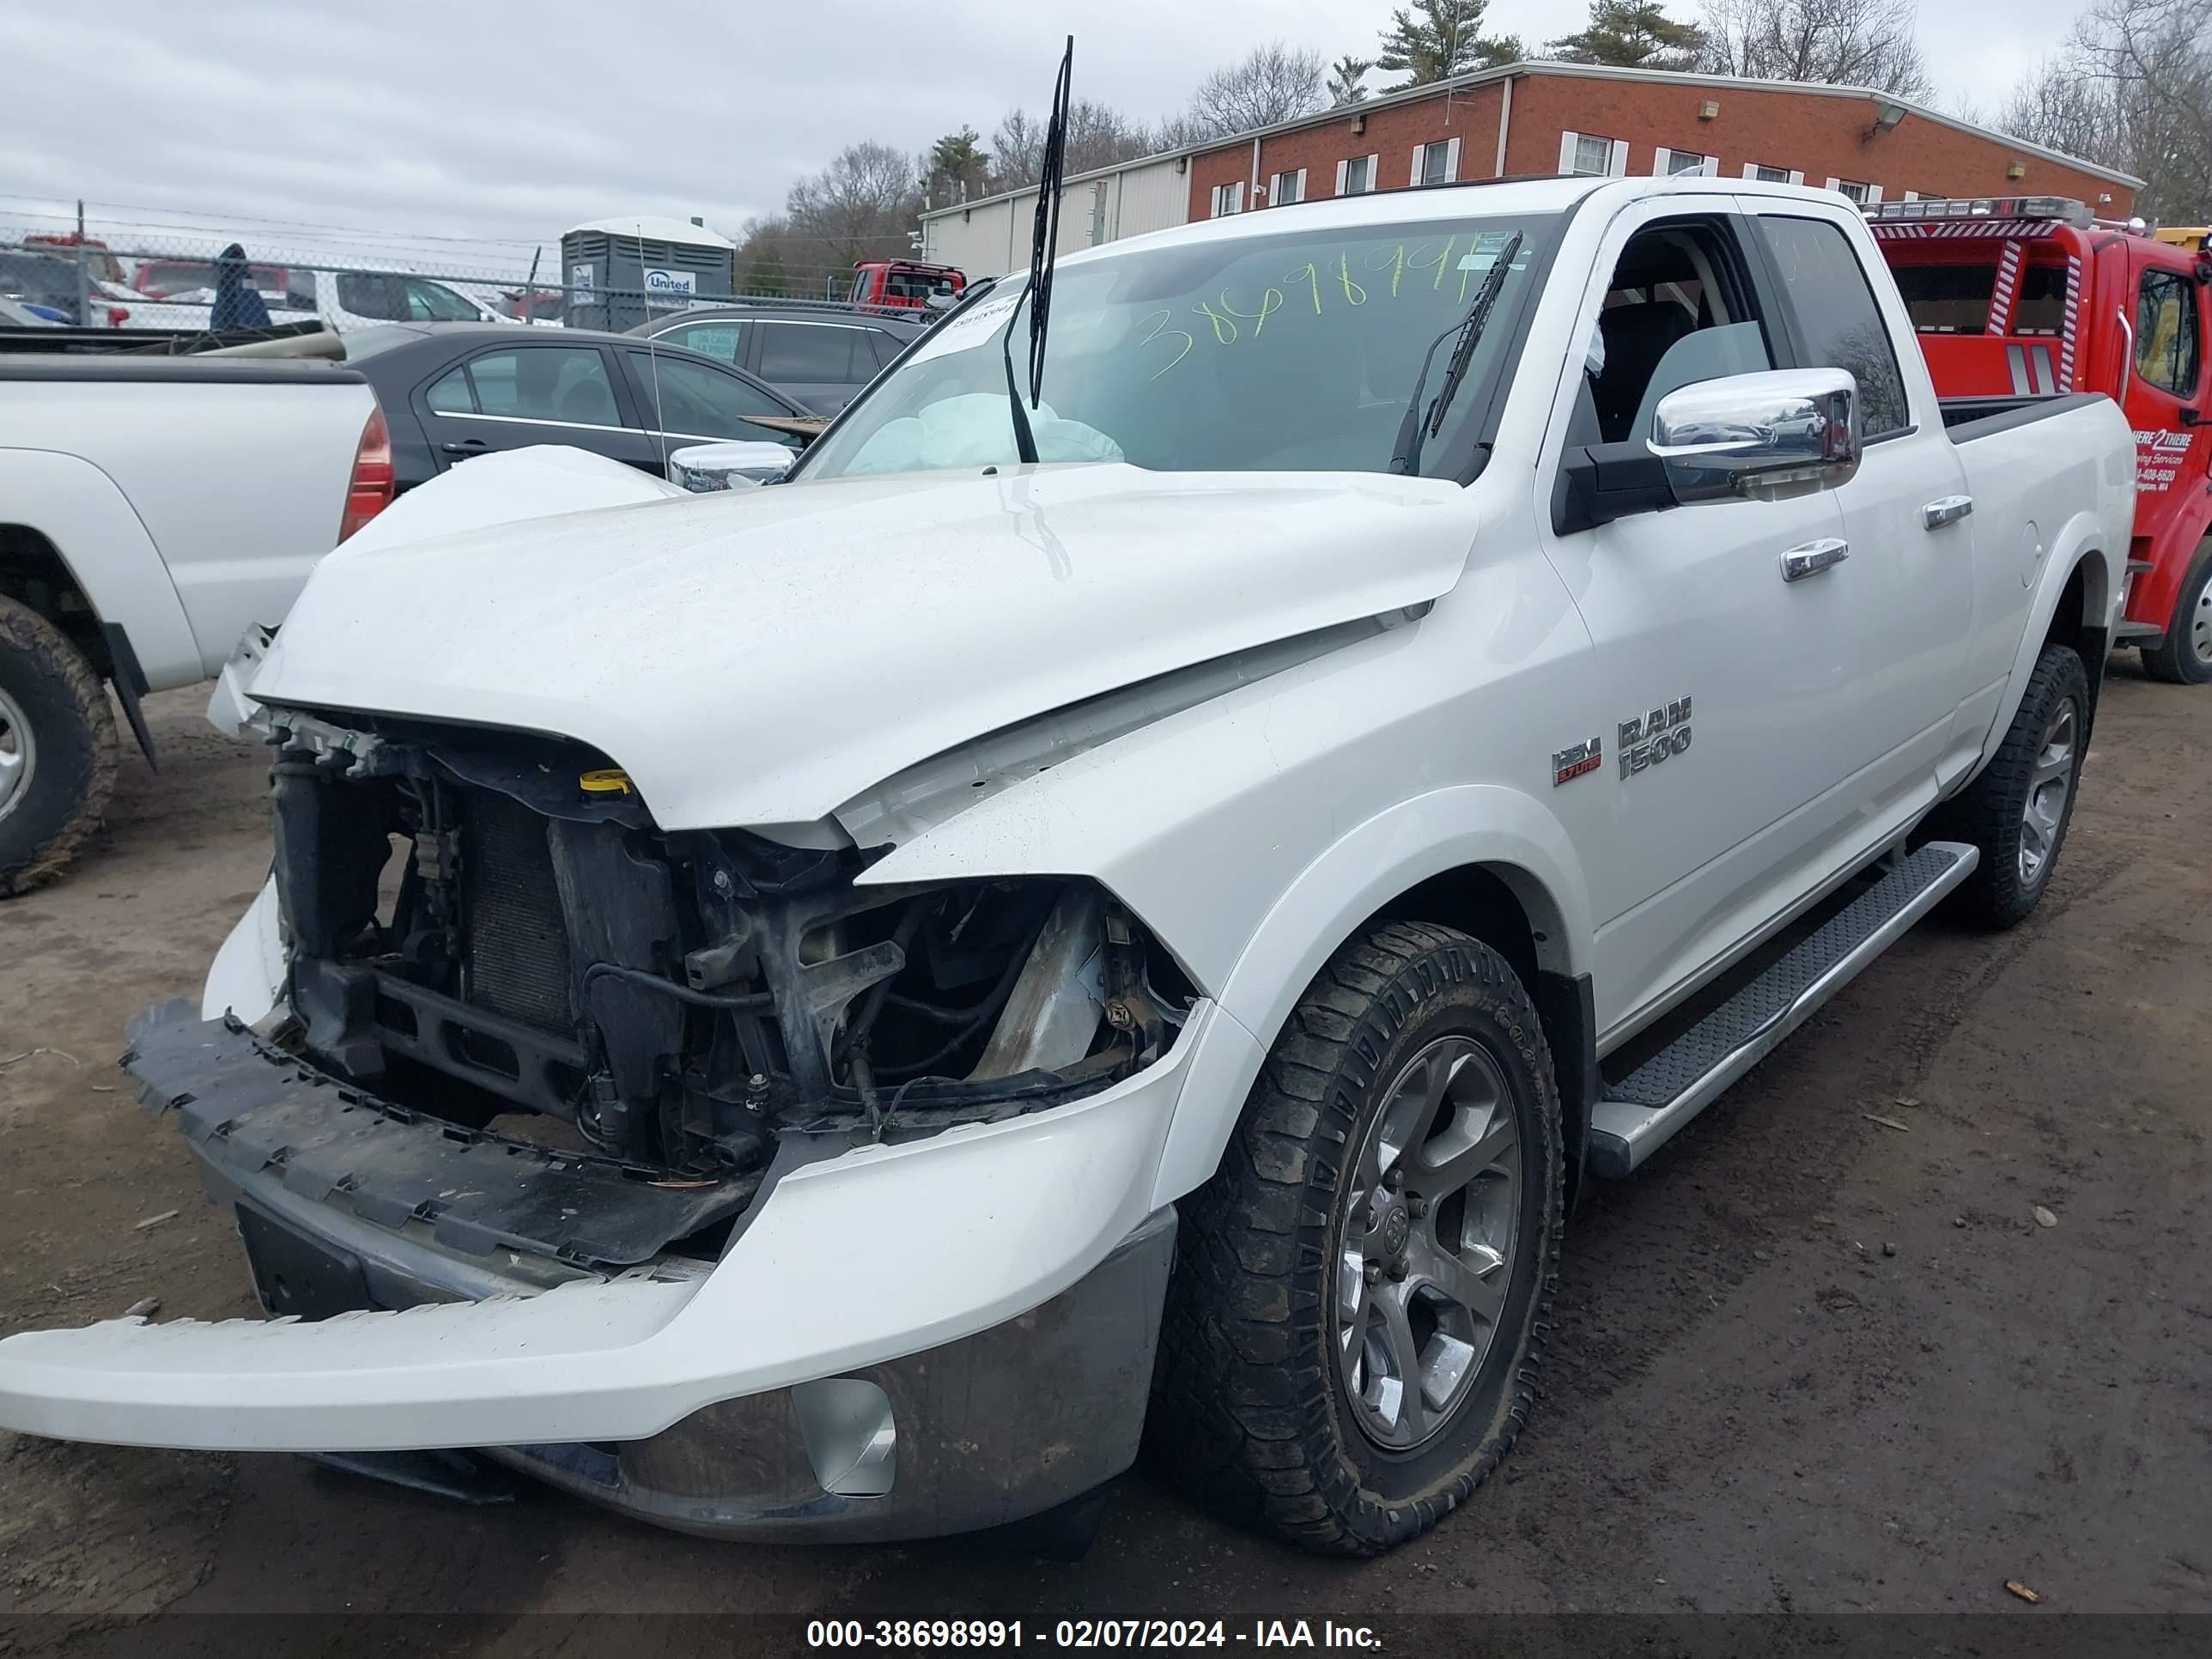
1808	1361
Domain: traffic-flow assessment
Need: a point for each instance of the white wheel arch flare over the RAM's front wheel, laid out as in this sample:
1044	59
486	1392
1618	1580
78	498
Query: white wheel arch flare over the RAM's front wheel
1359	875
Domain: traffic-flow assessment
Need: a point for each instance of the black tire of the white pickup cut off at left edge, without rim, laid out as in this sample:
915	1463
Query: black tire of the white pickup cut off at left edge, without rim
74	762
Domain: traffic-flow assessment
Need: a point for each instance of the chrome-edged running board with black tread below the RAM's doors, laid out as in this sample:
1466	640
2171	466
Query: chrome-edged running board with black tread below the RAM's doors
1676	1085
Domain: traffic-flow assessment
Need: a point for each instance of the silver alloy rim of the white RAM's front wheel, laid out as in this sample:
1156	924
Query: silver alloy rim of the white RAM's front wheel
1426	1244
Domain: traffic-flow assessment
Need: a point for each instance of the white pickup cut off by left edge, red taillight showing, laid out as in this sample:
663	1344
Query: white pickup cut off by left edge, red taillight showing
152	510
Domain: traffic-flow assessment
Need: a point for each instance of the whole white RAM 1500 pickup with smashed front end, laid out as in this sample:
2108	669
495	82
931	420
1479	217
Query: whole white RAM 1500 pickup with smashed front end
828	1010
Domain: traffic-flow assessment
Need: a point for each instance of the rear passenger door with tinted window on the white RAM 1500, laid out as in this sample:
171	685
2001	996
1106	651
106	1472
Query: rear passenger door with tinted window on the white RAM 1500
1939	651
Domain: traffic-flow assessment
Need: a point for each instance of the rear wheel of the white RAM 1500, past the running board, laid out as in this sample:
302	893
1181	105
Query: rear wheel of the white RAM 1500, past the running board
2021	806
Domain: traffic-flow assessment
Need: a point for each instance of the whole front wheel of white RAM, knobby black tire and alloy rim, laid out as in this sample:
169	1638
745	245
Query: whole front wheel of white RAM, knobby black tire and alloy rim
1361	1291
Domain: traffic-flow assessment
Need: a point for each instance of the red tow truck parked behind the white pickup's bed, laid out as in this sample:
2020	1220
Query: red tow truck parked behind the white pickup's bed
2034	298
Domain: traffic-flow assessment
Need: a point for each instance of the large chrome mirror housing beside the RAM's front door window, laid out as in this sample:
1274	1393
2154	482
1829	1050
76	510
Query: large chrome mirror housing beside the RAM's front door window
1760	437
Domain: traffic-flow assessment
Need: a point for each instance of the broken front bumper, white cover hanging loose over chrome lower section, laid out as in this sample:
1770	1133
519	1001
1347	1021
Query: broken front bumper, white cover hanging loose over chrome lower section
997	1288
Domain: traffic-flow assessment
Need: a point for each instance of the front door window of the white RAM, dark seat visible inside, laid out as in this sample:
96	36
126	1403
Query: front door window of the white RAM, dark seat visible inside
1676	313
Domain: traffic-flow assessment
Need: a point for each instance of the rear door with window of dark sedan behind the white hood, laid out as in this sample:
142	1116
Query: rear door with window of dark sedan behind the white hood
510	397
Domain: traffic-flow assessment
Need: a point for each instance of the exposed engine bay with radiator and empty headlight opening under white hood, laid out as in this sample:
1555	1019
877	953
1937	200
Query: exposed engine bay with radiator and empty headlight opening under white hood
488	924
